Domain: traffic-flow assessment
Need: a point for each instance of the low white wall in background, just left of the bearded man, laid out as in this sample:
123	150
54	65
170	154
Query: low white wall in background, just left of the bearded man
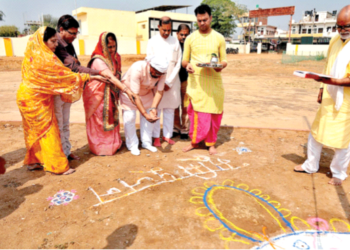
307	49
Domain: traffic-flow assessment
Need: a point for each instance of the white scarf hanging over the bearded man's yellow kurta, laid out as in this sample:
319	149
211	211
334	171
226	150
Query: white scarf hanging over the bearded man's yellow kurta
338	71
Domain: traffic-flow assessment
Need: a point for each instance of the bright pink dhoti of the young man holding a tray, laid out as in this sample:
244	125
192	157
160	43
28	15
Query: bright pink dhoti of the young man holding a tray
204	126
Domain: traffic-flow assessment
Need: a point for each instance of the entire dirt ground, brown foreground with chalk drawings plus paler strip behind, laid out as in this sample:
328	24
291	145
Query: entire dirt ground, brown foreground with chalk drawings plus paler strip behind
171	199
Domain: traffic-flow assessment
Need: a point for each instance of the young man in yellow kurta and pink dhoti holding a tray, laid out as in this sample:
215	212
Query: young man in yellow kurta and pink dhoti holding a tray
205	88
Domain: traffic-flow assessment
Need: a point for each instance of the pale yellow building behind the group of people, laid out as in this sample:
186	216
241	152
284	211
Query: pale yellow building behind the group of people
139	25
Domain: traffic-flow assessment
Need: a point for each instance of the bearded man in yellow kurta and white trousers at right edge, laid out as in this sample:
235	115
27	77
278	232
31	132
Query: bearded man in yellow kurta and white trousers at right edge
331	126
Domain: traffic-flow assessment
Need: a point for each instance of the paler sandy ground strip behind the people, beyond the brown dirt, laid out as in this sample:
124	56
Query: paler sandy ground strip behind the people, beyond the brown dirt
260	92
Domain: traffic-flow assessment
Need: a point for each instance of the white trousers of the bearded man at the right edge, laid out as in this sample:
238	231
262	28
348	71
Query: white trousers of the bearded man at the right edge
339	163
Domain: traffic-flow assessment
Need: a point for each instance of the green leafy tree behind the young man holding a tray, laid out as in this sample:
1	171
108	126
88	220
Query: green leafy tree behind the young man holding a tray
225	13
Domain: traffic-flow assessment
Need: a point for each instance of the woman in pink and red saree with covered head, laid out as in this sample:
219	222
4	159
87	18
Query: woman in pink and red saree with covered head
101	99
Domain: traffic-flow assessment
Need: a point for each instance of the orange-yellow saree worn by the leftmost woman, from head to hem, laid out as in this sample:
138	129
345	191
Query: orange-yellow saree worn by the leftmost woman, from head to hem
43	76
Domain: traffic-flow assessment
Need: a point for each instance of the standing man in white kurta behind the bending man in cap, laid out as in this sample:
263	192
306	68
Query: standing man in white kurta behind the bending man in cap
166	45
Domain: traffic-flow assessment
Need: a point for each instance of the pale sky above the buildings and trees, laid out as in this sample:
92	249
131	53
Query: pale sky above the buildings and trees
19	11
